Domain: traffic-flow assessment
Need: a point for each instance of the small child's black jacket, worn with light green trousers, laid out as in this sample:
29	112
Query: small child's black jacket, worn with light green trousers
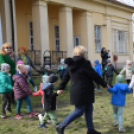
49	98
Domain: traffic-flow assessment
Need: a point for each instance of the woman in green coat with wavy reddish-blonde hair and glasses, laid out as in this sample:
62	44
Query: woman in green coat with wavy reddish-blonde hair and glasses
7	56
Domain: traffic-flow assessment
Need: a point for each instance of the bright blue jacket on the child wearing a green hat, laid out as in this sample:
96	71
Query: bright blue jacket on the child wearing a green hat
119	92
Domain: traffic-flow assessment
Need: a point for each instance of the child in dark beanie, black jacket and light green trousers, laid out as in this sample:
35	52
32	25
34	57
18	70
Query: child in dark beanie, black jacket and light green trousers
49	101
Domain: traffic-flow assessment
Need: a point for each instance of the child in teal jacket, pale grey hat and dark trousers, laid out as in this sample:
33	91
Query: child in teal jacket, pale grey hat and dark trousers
5	89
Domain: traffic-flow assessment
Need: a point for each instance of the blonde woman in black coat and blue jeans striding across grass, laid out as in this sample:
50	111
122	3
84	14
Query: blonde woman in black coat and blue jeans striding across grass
82	75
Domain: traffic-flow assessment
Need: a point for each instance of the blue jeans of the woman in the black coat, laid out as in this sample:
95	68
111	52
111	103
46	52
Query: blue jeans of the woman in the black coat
79	110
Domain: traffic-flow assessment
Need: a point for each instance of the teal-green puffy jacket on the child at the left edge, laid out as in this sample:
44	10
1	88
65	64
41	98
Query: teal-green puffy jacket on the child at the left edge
5	83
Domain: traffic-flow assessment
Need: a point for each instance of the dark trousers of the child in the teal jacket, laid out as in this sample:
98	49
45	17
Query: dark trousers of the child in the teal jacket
6	99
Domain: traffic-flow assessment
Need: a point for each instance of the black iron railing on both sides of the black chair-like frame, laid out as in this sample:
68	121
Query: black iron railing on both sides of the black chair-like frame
56	56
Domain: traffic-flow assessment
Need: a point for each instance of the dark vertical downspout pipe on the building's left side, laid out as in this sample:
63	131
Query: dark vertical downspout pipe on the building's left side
12	23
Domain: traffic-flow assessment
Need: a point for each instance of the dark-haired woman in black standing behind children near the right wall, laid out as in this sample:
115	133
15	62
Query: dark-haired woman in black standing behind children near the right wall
104	56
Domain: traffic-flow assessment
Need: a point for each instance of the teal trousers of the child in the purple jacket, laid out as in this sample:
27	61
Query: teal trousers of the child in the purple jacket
28	102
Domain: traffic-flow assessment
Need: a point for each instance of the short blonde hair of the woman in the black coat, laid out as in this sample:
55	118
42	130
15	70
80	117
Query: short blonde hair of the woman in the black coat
80	51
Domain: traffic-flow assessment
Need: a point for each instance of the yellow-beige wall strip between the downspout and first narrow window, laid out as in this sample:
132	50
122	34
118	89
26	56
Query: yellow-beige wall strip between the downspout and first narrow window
23	16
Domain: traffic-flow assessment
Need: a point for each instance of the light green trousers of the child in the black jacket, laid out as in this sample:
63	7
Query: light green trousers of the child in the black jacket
50	115
